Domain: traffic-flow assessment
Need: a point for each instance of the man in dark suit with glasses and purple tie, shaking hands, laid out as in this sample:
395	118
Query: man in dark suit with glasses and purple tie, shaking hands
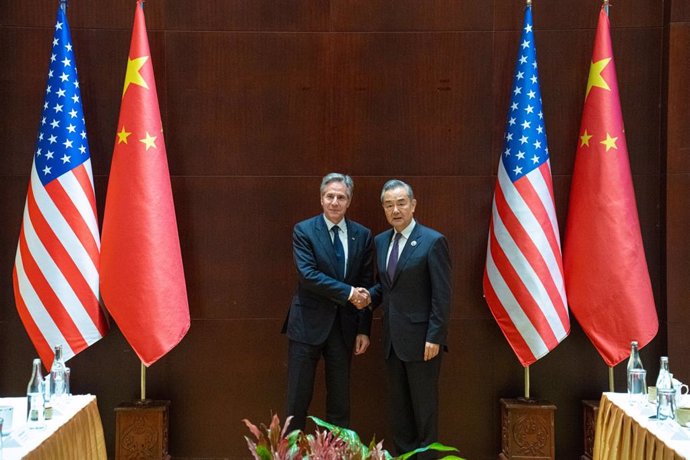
414	289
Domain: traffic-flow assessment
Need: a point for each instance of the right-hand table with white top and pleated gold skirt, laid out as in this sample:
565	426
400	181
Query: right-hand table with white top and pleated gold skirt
628	431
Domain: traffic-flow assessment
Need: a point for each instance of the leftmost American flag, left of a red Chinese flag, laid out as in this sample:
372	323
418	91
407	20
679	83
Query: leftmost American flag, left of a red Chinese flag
55	274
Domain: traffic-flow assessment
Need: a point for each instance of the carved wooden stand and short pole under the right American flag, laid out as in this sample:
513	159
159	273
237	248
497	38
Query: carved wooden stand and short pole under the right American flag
527	428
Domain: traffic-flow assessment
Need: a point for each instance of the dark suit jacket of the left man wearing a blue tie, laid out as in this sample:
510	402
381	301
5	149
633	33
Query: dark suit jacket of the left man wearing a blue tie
320	296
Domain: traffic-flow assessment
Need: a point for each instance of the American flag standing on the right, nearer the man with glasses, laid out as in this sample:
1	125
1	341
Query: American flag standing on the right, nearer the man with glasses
523	279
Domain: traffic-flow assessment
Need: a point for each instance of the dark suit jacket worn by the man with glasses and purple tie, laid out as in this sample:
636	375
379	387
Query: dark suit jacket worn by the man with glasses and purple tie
417	300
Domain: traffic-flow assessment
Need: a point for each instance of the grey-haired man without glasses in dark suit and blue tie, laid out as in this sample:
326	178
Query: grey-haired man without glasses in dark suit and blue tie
334	260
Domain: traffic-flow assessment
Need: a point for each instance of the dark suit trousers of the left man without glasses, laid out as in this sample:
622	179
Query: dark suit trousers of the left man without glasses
302	363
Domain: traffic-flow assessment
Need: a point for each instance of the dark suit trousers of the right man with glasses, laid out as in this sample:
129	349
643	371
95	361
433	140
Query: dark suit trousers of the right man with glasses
413	400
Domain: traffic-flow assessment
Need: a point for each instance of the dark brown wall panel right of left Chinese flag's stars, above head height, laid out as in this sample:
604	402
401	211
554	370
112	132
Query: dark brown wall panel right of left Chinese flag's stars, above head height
248	103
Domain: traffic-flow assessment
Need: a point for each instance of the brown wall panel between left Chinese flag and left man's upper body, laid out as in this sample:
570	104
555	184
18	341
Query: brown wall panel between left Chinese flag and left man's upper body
223	270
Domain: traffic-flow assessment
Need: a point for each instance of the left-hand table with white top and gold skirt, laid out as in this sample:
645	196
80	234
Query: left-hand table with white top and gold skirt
75	431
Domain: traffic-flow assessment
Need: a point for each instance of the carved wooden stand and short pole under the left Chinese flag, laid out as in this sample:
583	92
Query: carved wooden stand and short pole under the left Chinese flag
141	427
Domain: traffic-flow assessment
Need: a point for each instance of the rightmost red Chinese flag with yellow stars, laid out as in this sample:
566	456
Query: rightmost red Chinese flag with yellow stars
606	276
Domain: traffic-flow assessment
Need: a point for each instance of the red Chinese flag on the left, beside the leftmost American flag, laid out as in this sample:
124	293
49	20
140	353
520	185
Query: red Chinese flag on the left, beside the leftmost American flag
142	278
